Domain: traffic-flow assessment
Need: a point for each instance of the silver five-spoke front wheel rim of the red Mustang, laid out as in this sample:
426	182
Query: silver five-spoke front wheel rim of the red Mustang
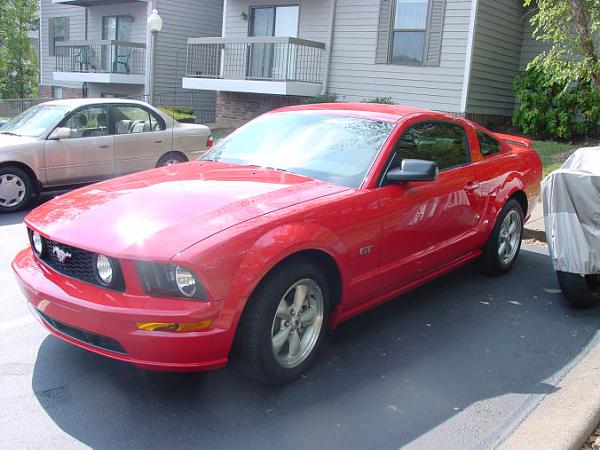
297	323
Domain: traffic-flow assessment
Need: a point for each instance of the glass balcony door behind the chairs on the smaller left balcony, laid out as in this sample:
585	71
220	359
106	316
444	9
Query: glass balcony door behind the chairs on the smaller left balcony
116	28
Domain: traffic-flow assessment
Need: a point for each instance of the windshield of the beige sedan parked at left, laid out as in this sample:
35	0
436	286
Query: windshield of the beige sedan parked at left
35	121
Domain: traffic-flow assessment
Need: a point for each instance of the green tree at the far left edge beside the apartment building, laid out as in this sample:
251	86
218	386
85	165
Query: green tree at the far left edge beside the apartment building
18	58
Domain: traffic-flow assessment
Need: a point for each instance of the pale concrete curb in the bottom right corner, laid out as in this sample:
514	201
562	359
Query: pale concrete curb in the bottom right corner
566	417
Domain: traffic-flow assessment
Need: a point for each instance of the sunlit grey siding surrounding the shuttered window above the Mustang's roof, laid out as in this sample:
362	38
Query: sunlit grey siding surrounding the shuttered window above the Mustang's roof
354	76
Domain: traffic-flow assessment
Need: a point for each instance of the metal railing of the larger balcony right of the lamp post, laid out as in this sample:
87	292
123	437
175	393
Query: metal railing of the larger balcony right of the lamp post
256	58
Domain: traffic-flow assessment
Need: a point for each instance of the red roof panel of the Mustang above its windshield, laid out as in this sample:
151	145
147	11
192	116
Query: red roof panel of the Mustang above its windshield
388	113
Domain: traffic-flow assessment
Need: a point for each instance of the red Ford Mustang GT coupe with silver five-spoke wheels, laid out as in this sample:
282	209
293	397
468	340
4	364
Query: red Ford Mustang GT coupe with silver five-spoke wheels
296	222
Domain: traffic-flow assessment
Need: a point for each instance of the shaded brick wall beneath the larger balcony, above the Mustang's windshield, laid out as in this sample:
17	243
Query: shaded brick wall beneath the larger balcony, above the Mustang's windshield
234	108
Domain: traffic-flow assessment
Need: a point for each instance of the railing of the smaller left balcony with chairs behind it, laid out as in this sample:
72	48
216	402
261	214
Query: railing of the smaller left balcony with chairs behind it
113	57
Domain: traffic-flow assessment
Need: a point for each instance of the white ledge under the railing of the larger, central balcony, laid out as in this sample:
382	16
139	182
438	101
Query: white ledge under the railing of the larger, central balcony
254	86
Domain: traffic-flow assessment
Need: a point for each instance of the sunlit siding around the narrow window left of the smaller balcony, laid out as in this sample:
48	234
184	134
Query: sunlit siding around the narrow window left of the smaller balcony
76	17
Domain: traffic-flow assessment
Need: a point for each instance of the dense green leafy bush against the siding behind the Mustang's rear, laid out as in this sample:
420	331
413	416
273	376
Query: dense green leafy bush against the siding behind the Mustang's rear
553	109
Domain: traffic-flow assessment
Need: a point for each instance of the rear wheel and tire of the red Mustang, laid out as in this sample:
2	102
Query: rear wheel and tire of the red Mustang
502	248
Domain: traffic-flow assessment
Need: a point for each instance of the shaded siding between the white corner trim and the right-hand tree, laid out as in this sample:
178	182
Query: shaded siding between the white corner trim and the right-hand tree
496	54
